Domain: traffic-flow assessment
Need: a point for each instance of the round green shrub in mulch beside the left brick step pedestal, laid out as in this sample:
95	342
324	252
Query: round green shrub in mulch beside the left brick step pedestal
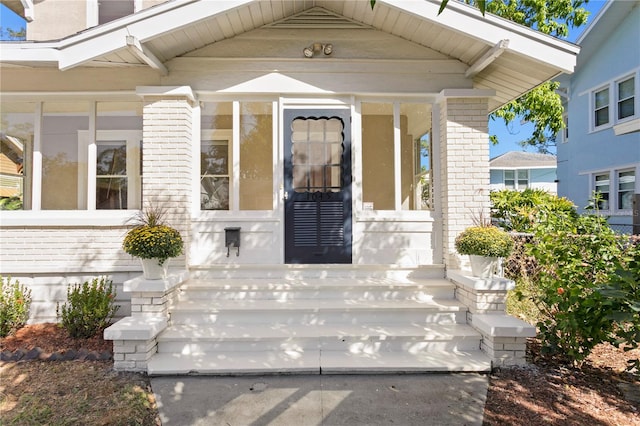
89	308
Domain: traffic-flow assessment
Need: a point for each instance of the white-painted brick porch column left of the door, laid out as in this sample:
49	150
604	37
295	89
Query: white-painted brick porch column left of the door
168	137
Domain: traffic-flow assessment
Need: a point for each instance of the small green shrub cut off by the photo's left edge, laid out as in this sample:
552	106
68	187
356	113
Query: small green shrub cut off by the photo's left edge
15	301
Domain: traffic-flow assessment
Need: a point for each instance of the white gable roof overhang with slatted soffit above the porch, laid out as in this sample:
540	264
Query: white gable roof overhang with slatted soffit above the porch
500	55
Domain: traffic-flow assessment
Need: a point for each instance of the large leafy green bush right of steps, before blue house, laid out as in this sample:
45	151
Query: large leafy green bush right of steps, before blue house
577	255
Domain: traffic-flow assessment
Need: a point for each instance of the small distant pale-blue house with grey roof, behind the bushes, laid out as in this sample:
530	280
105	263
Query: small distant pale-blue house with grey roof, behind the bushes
522	170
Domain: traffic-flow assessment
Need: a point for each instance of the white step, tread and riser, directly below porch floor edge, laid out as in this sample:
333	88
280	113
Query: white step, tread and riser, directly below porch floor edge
338	288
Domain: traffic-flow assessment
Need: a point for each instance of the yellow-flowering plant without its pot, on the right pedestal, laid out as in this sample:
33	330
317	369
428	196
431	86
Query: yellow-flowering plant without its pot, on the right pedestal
487	241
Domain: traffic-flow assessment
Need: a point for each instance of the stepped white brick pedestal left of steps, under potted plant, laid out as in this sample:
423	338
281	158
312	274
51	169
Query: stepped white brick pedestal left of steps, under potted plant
134	337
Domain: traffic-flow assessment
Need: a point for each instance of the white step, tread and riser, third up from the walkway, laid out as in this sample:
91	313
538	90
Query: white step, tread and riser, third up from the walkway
320	311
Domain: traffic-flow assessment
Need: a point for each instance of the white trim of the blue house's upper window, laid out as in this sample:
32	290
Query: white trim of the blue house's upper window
620	125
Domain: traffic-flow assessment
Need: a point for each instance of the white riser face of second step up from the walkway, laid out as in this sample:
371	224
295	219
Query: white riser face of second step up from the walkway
348	345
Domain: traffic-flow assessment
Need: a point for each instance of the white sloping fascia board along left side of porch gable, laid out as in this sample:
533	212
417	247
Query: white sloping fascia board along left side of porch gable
108	38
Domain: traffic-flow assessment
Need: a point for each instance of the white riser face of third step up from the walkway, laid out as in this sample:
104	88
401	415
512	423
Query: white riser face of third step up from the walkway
369	317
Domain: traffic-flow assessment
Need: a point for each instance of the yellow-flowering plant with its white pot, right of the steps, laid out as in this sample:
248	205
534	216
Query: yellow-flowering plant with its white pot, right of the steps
484	245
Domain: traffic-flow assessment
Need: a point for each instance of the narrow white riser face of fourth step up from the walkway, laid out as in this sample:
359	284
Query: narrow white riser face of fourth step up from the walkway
368	294
